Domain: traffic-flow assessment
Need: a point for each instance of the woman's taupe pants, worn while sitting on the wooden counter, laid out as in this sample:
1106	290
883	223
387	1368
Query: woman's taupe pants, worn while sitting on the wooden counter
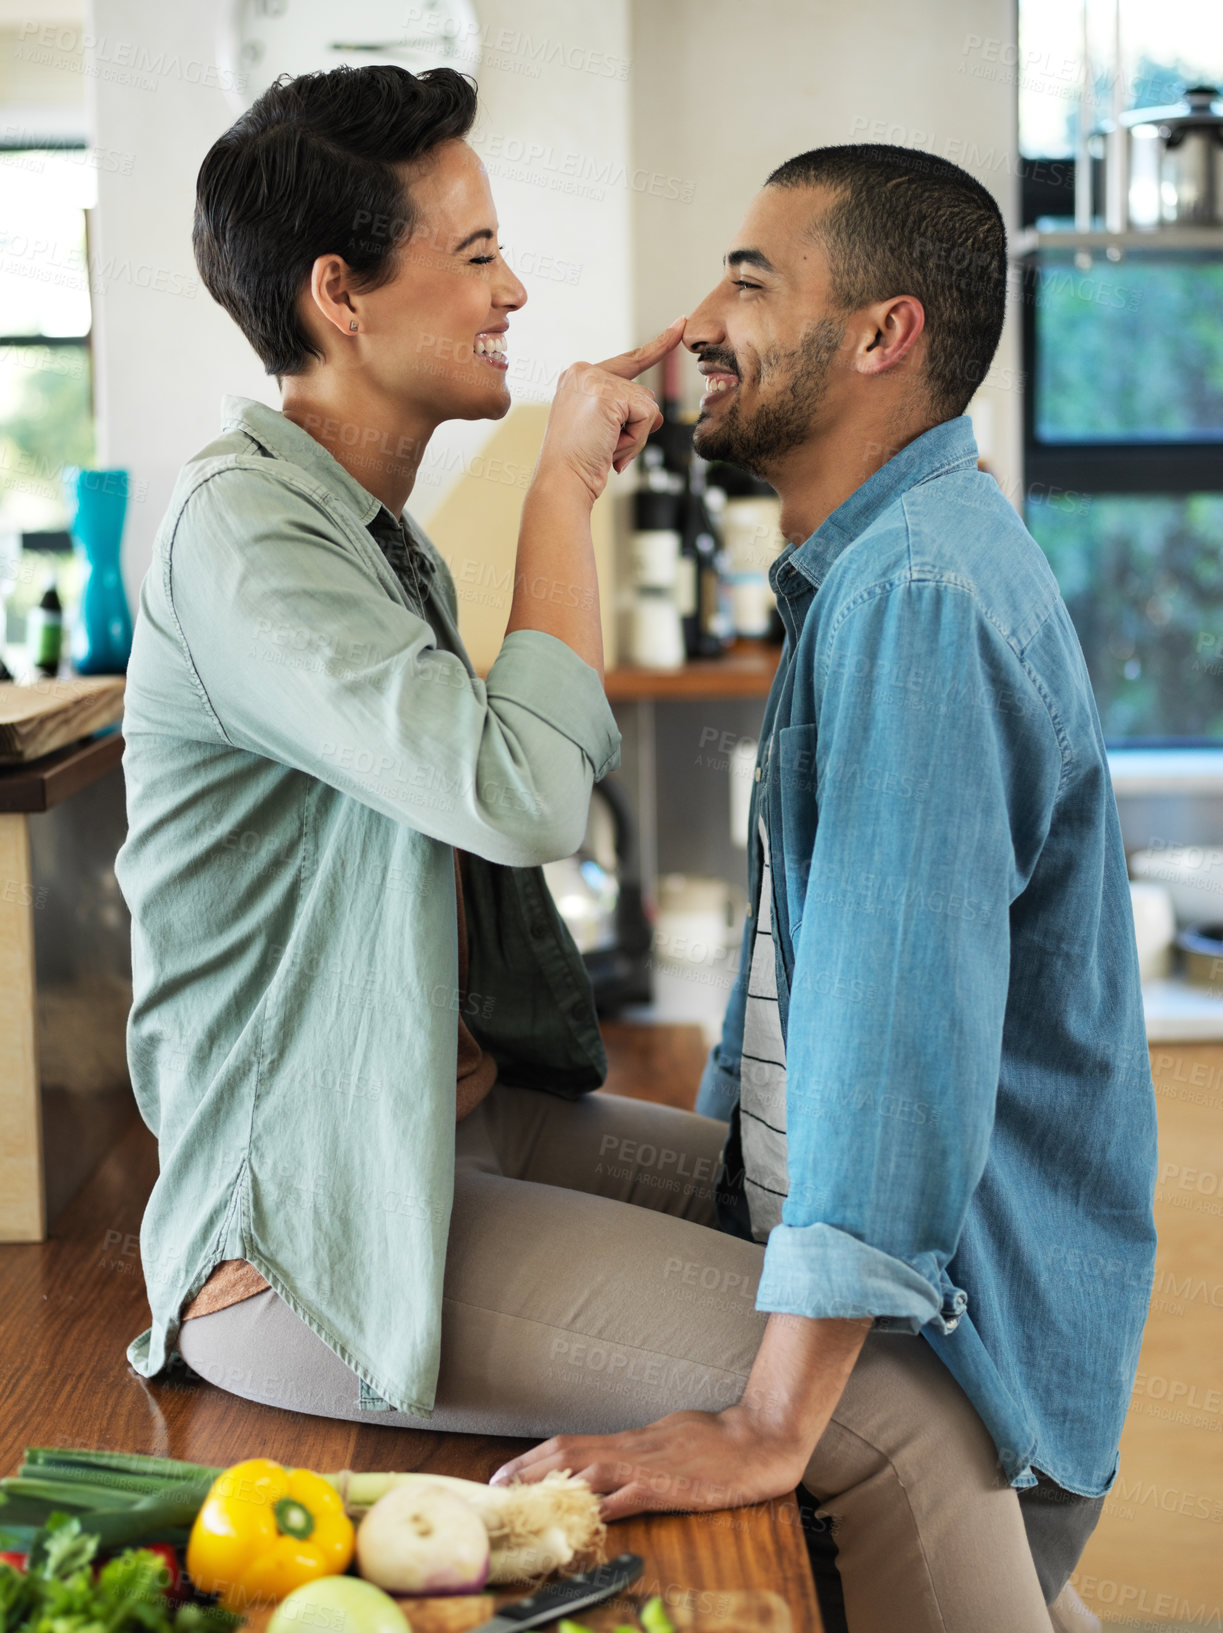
590	1291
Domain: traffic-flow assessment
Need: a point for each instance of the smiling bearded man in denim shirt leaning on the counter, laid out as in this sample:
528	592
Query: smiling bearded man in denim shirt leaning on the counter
935	1062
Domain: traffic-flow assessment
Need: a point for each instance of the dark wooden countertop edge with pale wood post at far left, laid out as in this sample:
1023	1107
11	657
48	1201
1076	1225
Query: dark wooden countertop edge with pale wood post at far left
25	791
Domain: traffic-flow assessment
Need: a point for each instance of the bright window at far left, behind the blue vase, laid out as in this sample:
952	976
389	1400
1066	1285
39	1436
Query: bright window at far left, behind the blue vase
47	398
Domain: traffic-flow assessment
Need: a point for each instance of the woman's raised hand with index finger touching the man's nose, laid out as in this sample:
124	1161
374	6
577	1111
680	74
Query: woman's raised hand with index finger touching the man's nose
600	417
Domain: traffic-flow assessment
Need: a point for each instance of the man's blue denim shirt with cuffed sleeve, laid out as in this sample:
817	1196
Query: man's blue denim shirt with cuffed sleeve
971	1113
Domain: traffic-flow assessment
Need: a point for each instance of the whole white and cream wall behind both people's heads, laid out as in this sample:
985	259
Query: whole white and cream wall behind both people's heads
616	190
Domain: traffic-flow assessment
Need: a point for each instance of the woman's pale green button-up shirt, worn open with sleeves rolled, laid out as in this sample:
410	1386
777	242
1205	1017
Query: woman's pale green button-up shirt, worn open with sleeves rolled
306	745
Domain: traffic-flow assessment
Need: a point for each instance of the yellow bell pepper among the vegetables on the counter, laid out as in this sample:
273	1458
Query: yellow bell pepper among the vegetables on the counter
265	1531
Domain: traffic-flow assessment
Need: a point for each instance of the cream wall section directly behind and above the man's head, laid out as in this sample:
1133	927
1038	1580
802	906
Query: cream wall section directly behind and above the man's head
724	92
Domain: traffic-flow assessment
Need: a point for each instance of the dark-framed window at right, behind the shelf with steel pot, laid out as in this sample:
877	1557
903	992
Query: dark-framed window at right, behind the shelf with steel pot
1124	406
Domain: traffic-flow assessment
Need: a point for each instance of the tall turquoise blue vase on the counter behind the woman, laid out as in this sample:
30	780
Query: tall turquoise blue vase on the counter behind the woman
102	633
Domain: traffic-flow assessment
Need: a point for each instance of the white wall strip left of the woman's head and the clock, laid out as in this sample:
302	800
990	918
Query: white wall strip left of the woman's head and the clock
164	352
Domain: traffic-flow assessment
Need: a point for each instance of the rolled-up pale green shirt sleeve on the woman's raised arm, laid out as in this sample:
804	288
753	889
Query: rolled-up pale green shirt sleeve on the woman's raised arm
300	654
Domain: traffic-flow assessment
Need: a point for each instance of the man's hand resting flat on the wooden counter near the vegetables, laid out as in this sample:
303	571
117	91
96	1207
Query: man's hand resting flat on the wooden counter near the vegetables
685	1461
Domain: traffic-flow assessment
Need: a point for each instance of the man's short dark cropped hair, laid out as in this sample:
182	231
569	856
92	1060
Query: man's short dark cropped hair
904	223
